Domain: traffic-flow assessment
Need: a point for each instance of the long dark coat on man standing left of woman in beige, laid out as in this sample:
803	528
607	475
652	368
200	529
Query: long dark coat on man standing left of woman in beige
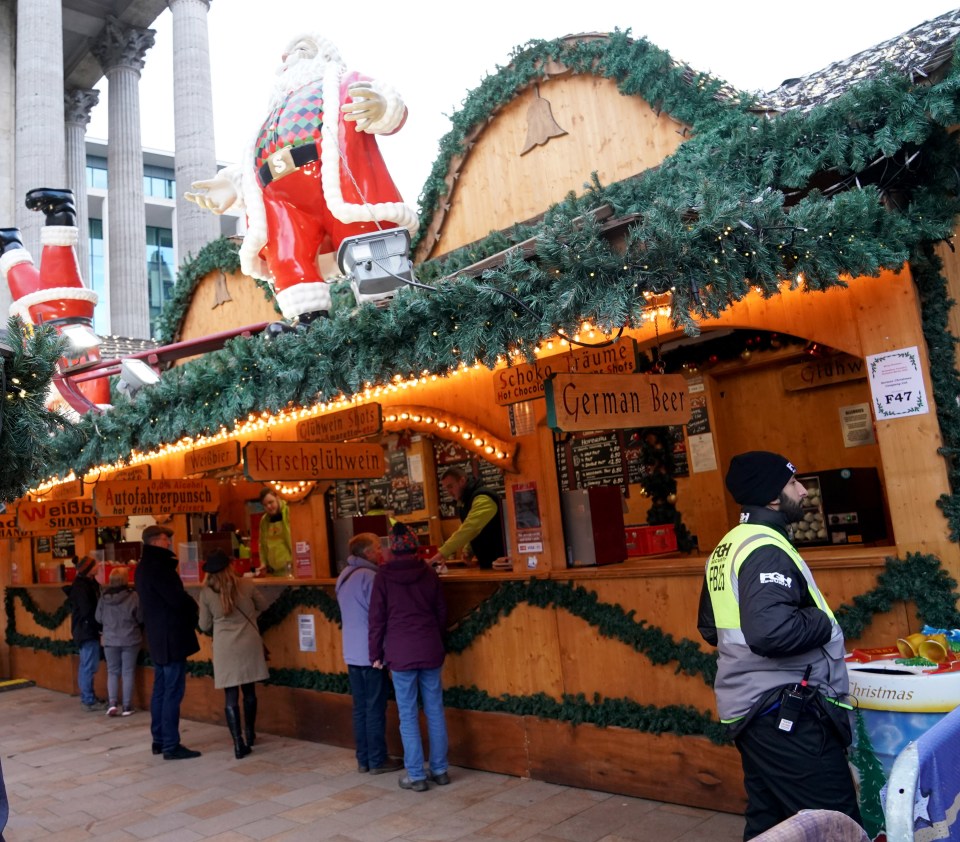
169	613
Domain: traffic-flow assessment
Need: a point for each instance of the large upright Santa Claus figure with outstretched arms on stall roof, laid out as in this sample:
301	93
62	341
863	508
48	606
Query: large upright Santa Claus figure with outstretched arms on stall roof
313	176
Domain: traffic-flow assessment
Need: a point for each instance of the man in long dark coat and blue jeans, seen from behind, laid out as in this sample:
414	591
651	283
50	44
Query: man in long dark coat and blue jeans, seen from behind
170	619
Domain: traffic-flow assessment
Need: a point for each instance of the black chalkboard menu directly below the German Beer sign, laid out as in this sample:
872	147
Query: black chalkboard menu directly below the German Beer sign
612	457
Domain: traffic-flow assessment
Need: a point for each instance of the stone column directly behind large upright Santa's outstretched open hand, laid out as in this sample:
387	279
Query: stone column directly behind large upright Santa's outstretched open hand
192	122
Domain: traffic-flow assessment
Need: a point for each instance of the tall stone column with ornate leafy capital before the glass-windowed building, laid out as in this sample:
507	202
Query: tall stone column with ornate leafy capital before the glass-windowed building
120	50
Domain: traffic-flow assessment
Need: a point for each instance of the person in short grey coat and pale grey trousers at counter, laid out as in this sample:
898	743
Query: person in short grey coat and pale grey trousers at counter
119	613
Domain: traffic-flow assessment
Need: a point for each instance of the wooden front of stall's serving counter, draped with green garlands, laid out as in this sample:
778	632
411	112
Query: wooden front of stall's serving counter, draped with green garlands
589	677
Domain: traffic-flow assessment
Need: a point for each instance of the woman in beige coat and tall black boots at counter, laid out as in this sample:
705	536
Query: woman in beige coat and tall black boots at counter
229	606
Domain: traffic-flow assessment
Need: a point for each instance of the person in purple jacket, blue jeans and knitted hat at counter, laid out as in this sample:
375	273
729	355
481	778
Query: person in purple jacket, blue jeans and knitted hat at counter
408	616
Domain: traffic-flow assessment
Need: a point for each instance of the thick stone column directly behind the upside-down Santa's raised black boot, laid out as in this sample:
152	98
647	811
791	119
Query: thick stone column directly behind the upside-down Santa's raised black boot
39	143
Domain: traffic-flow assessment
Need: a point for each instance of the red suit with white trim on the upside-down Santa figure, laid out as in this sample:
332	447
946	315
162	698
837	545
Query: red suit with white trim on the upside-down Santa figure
54	293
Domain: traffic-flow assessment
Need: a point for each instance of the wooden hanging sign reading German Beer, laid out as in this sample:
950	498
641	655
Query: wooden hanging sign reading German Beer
616	401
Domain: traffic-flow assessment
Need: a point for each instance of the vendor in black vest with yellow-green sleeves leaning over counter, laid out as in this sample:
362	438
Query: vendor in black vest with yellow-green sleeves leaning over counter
481	531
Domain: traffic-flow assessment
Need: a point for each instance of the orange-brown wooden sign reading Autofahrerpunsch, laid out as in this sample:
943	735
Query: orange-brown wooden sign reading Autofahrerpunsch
159	496
